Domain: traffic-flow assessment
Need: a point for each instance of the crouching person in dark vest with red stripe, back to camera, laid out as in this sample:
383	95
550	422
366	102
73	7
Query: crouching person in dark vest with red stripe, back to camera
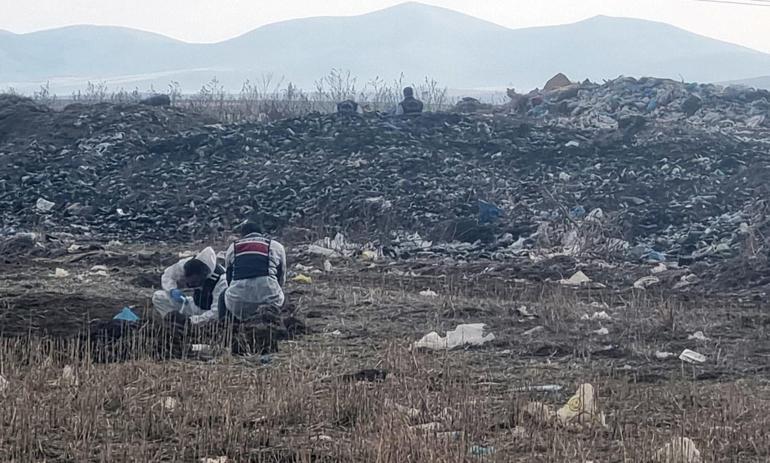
256	275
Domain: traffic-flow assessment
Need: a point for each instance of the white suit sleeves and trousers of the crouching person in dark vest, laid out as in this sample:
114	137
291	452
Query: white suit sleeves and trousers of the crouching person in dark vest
243	298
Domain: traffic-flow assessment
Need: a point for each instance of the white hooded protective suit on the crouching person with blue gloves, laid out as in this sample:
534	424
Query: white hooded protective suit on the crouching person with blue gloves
171	279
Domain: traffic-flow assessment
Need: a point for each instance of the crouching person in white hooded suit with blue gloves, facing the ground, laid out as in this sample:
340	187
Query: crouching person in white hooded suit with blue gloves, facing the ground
202	278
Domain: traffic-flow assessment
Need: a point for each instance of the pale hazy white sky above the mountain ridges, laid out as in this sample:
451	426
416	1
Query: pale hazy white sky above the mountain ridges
215	20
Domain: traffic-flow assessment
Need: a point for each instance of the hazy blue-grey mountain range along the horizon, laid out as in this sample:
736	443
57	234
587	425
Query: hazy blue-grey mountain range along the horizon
458	50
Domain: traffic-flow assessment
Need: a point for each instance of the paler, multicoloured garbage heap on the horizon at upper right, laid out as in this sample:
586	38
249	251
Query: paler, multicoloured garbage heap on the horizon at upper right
629	103
